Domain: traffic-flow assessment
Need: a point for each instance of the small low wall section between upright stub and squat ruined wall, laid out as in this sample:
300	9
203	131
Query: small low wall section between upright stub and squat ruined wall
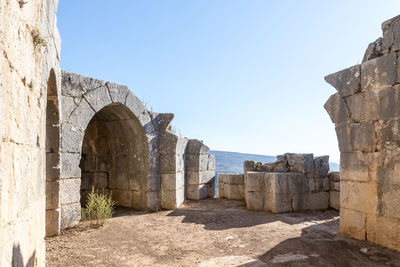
231	186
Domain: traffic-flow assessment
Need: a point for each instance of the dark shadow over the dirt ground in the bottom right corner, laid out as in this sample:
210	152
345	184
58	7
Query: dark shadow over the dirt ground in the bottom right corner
319	245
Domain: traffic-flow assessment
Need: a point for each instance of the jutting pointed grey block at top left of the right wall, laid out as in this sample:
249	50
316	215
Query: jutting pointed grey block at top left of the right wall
346	82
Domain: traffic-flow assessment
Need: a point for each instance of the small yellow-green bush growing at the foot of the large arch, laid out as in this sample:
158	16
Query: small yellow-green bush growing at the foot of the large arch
99	207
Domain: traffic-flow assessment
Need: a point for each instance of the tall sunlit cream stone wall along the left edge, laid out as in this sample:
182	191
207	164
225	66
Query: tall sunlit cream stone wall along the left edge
29	52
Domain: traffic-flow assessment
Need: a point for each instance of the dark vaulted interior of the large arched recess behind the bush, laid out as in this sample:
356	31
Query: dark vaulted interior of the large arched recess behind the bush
115	157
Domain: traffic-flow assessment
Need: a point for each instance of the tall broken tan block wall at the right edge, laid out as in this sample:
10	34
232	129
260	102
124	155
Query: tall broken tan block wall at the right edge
366	114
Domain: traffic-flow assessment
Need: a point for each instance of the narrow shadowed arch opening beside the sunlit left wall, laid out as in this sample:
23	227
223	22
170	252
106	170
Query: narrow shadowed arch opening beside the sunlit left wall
52	156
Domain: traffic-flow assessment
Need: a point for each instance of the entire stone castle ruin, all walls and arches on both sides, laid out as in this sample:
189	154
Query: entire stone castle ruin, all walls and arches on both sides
62	133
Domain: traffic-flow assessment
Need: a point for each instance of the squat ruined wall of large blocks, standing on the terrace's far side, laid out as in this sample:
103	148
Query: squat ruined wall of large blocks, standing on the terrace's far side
295	182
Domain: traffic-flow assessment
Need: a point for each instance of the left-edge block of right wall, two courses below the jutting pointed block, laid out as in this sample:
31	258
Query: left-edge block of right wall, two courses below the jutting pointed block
356	137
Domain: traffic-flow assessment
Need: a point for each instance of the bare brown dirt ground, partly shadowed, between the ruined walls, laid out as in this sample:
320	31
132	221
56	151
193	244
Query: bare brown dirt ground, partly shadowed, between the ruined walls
214	233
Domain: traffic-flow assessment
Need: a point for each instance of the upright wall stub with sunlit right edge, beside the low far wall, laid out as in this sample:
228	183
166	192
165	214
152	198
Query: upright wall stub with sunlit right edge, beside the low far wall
200	171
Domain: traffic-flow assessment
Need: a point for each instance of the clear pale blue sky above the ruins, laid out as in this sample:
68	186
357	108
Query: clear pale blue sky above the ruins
243	76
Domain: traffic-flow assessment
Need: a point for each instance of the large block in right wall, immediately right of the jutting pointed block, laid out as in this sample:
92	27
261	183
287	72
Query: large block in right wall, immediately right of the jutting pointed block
379	72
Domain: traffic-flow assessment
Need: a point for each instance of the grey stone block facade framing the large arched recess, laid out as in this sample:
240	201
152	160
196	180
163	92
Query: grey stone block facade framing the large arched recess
87	102
